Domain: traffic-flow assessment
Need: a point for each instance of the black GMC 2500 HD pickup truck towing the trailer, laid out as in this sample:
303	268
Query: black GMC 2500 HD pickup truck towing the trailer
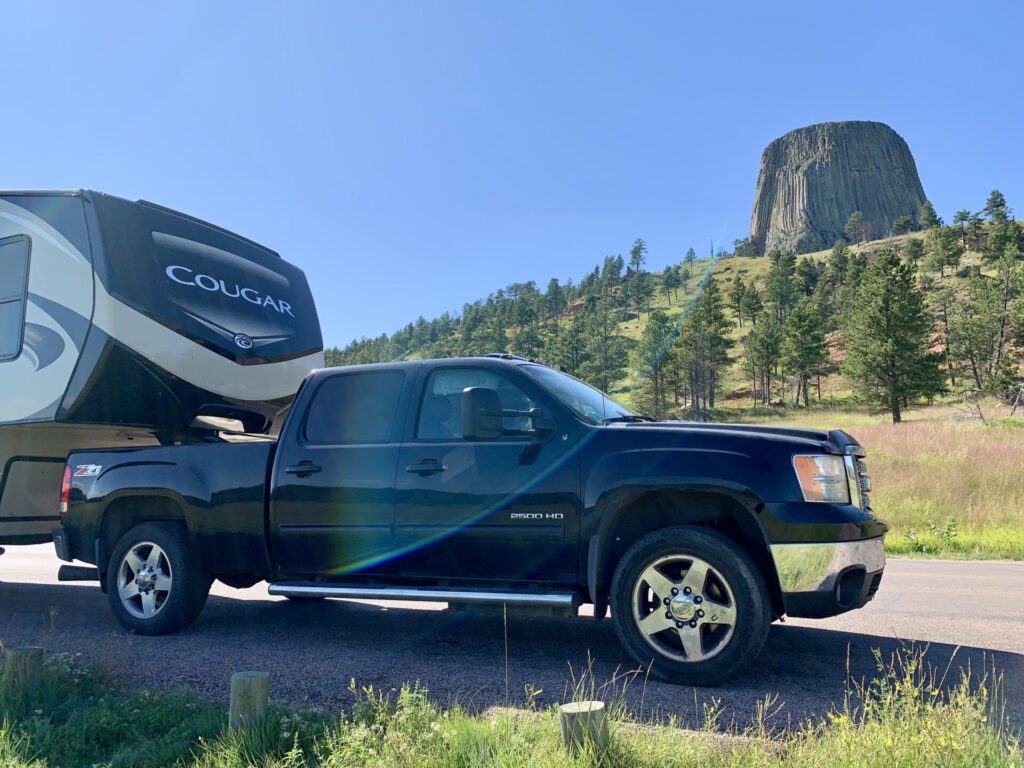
491	481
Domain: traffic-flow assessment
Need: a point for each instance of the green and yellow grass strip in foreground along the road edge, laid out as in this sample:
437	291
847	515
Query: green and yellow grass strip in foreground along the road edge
82	717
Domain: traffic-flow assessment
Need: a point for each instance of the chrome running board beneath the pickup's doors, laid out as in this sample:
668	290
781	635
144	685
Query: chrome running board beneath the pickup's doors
569	601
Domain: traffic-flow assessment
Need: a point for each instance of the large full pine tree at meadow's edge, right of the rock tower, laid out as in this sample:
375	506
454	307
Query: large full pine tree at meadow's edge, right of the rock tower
887	338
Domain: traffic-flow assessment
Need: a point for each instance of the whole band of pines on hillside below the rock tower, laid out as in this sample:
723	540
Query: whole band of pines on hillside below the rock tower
904	324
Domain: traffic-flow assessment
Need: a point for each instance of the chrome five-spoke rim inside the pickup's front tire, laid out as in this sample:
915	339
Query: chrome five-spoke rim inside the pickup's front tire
685	609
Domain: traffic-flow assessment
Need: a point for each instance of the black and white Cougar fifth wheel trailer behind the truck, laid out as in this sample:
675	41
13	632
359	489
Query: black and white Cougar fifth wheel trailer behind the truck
120	323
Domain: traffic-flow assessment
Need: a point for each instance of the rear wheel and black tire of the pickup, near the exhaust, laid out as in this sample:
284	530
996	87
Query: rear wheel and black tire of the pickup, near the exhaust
189	585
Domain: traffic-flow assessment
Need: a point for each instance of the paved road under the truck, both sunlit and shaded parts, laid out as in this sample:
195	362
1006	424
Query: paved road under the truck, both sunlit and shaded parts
971	612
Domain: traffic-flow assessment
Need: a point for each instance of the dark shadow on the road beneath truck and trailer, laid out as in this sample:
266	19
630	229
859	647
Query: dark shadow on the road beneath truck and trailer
314	651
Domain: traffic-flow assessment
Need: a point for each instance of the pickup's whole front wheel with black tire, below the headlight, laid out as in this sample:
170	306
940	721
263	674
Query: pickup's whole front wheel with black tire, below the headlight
739	644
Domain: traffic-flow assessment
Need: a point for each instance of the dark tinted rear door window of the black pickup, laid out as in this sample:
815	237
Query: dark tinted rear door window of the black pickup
354	409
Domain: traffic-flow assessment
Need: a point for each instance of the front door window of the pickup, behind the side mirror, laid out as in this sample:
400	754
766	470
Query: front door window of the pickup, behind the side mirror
441	410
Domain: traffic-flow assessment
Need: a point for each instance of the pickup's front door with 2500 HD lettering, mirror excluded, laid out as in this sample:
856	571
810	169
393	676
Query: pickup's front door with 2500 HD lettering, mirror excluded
506	509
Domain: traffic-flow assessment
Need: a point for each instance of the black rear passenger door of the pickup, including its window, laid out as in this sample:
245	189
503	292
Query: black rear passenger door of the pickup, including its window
333	500
